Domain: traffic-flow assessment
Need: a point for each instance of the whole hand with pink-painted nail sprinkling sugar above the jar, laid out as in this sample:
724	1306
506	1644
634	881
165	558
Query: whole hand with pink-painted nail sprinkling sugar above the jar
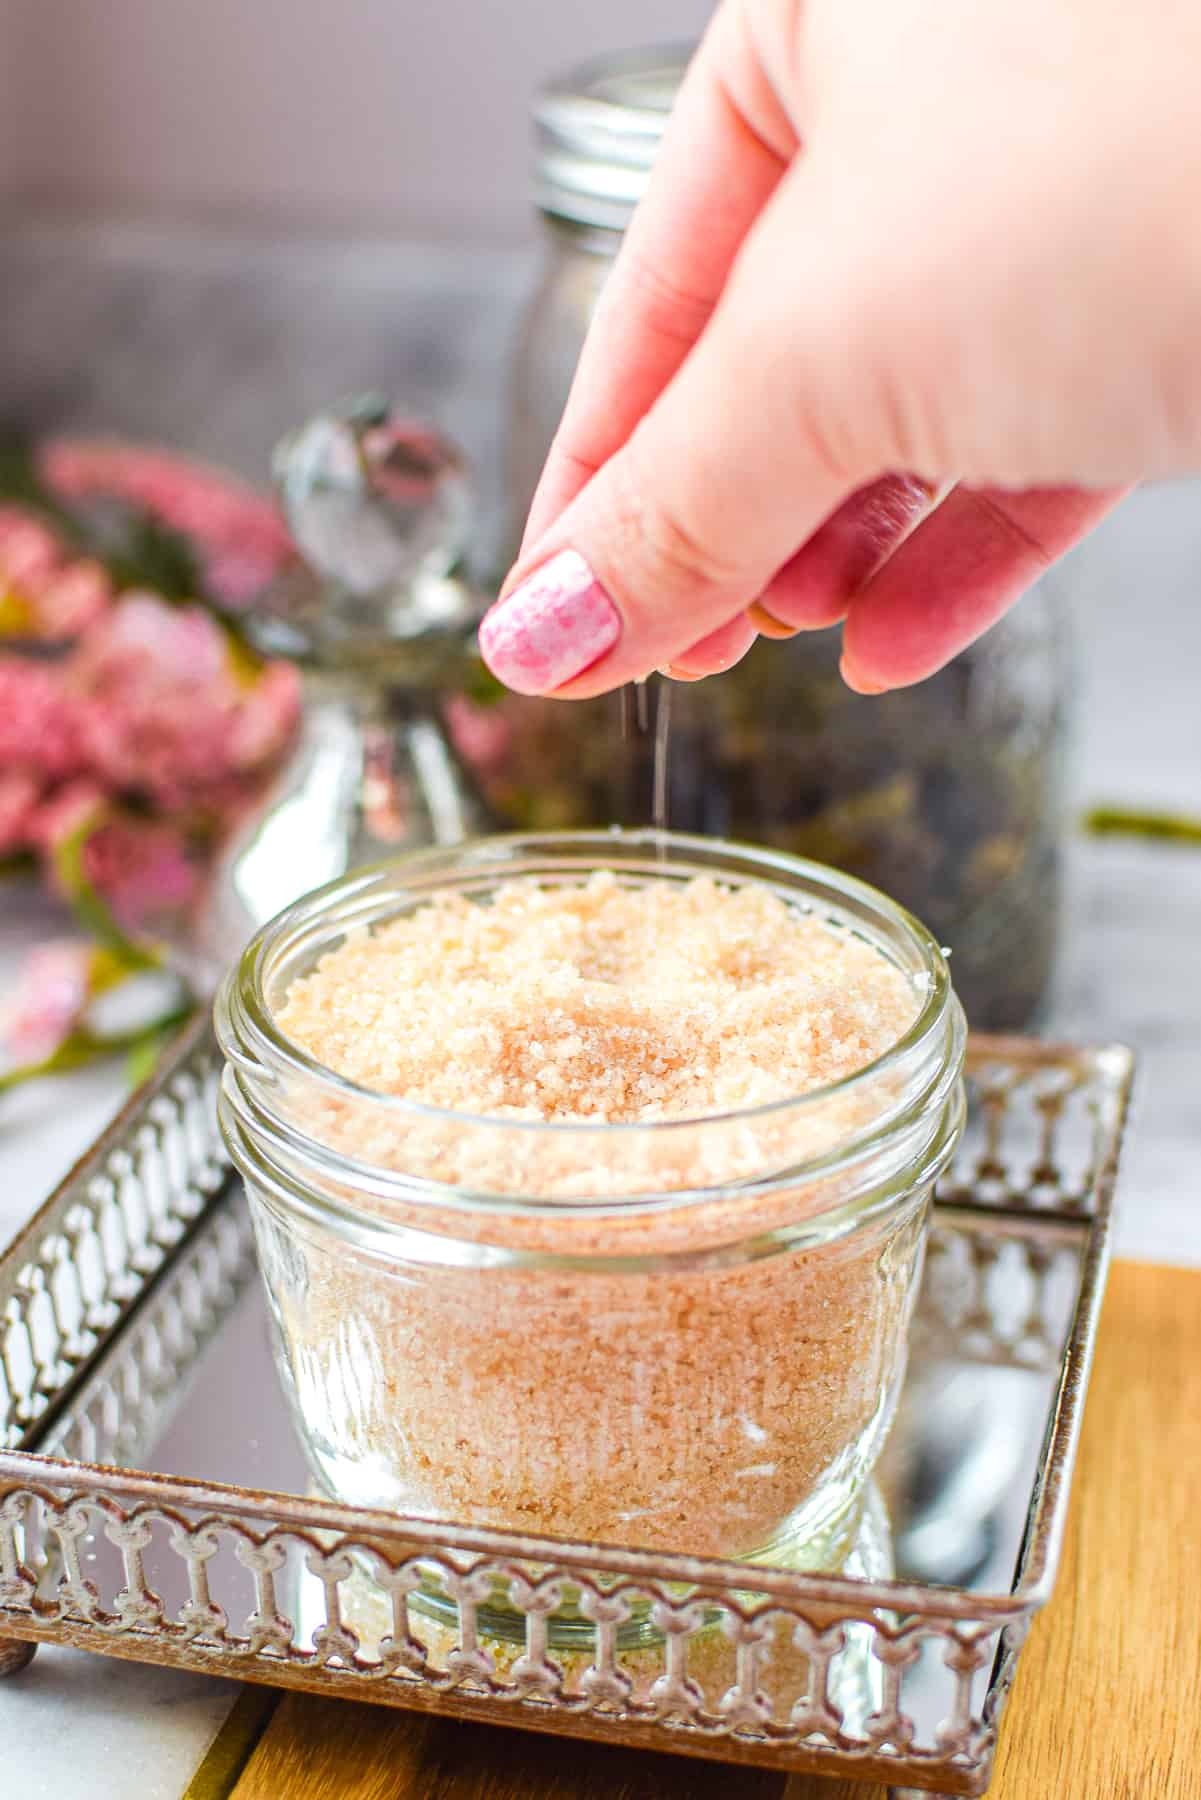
916	292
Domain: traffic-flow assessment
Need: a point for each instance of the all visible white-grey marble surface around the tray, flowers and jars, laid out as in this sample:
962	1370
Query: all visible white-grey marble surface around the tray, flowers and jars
221	348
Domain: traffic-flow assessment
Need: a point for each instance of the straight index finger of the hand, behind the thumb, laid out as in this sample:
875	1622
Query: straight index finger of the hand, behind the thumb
723	154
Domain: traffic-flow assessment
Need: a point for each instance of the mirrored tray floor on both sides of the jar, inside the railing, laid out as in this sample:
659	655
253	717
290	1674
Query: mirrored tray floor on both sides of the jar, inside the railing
190	1387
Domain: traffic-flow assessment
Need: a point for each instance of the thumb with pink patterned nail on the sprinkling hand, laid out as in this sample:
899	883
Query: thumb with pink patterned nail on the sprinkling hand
718	487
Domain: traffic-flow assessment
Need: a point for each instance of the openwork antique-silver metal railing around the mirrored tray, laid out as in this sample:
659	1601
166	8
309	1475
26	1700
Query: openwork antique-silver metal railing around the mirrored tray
145	1187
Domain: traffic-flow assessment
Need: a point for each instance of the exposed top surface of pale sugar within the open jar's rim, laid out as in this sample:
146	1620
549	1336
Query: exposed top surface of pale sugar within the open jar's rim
600	1003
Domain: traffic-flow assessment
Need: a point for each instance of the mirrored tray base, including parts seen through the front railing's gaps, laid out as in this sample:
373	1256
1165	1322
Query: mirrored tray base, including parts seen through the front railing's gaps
190	1387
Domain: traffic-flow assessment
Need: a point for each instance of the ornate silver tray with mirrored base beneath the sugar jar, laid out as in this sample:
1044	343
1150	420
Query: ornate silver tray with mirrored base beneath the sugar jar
154	1500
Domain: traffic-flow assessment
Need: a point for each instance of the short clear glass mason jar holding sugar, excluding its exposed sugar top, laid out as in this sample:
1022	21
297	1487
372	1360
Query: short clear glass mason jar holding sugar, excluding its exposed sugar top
683	1335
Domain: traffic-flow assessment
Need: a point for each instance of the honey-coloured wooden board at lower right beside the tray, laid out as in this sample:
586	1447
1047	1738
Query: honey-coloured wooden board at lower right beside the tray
1108	1695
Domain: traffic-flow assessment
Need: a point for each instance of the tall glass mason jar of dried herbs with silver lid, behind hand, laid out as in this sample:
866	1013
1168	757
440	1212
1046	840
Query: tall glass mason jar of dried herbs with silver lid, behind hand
948	796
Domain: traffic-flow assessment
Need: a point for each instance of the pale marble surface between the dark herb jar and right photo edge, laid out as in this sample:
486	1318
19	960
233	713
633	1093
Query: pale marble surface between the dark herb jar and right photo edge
1132	966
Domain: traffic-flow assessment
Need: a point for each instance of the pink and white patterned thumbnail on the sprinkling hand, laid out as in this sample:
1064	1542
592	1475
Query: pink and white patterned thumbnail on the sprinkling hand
552	627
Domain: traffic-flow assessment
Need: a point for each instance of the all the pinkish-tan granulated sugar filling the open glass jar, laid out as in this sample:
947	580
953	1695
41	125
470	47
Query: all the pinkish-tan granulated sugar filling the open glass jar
725	1387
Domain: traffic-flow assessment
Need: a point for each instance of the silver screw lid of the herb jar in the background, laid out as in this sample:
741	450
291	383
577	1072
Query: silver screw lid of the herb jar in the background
599	132
